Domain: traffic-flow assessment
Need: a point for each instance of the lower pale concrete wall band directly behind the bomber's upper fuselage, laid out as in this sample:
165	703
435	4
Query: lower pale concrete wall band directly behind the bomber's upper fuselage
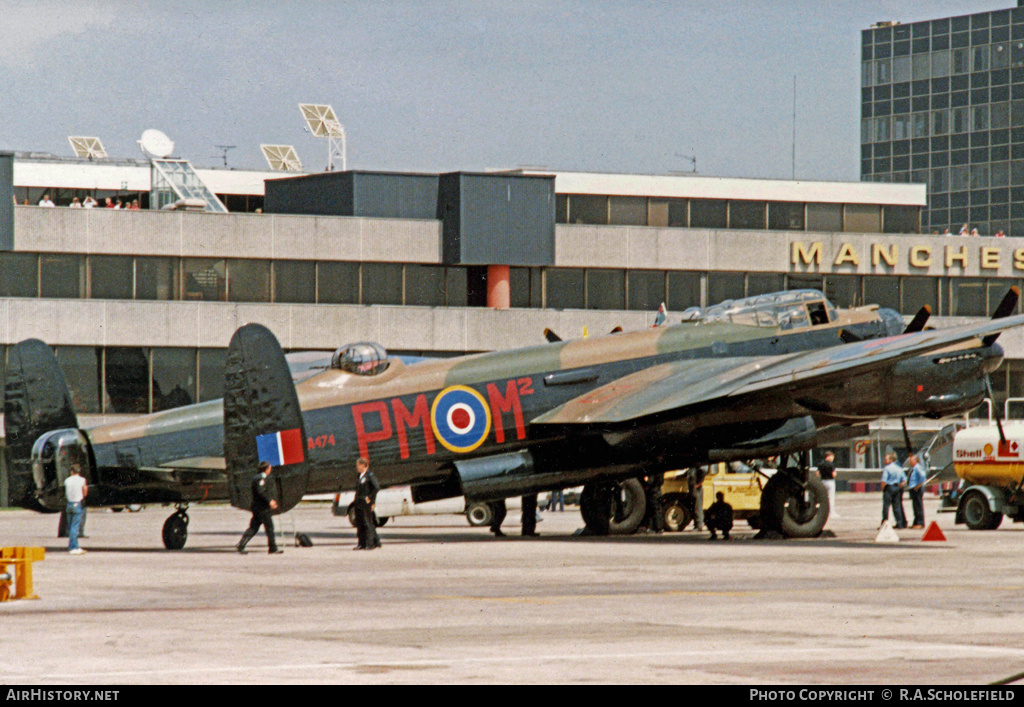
110	323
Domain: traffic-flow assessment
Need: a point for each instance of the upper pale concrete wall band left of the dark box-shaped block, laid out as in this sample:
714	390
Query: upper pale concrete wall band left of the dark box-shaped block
204	235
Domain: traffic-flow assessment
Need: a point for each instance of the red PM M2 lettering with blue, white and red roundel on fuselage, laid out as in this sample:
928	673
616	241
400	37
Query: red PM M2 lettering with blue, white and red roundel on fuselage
460	419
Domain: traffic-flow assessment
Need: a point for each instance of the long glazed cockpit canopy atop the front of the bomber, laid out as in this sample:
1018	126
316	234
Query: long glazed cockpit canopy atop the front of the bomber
792	310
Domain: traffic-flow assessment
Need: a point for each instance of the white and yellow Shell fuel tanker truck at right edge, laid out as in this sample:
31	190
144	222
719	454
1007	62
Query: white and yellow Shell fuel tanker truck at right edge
991	465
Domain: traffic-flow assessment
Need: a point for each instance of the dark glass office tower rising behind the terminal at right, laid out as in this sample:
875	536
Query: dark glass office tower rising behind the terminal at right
943	104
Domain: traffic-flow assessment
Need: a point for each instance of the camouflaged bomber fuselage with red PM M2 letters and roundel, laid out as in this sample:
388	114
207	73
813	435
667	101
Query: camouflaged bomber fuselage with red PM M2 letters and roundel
410	421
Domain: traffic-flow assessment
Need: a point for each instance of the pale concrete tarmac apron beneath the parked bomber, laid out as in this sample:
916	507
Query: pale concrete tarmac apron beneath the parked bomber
443	603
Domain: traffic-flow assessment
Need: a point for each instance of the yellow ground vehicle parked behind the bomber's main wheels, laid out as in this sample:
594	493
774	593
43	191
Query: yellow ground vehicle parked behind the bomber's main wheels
742	489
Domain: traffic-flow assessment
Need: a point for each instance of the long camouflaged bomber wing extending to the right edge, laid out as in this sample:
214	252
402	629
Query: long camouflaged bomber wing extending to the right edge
678	386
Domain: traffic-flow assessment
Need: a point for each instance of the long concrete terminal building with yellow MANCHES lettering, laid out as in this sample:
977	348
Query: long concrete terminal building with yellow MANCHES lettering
141	306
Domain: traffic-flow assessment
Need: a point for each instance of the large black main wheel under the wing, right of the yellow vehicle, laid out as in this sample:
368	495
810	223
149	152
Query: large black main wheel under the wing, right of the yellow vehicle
793	510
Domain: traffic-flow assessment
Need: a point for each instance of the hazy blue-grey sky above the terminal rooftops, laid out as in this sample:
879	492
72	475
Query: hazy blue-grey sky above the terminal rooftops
430	86
